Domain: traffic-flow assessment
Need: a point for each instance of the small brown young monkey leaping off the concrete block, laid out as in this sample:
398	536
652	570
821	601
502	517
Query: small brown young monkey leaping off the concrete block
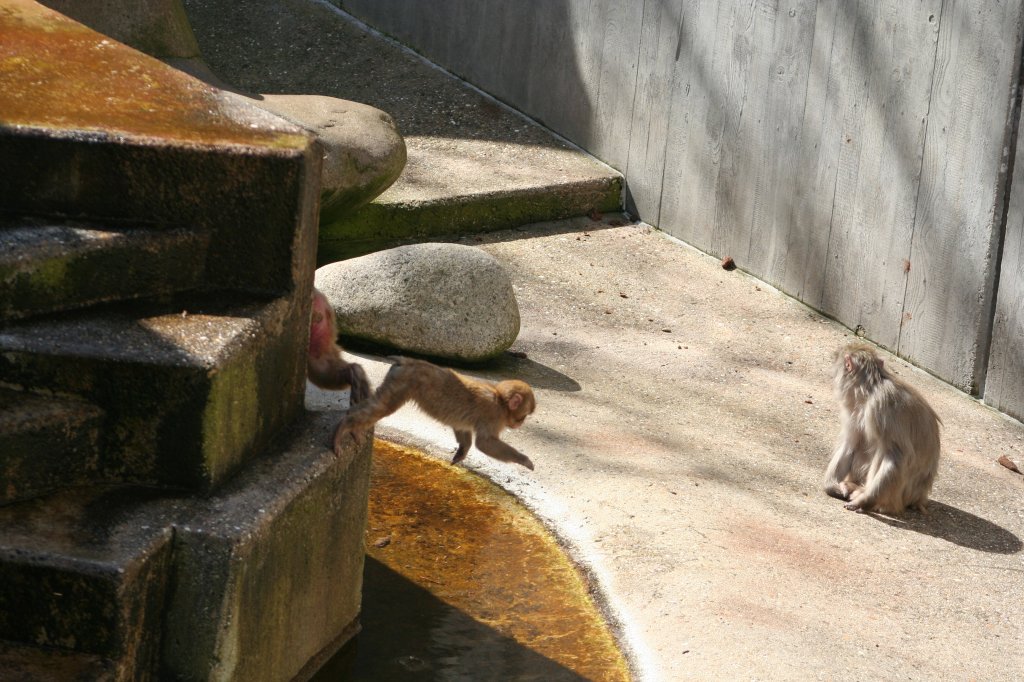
472	407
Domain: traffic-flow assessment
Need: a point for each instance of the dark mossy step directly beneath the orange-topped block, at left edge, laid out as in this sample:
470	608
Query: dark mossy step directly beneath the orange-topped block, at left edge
48	267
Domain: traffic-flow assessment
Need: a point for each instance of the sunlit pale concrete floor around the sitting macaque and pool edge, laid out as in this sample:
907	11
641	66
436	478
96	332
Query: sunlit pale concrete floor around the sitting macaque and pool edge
686	419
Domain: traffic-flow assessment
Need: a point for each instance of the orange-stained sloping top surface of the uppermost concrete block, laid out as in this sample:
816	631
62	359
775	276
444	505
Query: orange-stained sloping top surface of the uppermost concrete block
58	74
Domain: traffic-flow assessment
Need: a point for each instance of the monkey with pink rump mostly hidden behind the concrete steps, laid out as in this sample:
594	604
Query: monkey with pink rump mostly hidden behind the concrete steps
325	366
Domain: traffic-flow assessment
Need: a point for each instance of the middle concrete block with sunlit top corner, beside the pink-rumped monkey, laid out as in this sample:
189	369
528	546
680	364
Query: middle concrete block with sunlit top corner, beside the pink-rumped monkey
191	393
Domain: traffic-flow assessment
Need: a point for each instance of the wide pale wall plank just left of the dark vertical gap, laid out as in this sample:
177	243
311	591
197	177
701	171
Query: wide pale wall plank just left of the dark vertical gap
950	292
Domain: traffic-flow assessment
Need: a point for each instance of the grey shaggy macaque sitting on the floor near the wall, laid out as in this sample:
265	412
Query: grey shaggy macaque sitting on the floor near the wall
888	452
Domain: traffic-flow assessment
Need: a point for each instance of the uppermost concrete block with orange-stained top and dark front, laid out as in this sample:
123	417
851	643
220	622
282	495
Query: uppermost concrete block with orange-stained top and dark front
94	130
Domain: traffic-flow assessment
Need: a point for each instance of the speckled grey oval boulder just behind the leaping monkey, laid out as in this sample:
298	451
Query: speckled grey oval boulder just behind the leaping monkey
444	301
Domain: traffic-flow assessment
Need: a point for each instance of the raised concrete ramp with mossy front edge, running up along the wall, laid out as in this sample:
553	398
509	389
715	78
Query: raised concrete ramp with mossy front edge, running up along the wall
473	164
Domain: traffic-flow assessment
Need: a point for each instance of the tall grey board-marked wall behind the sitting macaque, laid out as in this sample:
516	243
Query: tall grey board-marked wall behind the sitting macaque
855	154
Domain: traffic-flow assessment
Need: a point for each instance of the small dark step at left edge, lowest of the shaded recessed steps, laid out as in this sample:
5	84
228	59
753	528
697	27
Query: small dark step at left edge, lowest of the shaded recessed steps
46	444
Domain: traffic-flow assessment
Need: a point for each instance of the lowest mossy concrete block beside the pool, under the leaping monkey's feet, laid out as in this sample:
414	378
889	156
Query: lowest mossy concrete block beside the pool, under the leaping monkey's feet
269	573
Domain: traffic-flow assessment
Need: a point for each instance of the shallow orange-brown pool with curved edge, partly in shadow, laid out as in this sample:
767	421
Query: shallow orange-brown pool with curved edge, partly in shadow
462	583
